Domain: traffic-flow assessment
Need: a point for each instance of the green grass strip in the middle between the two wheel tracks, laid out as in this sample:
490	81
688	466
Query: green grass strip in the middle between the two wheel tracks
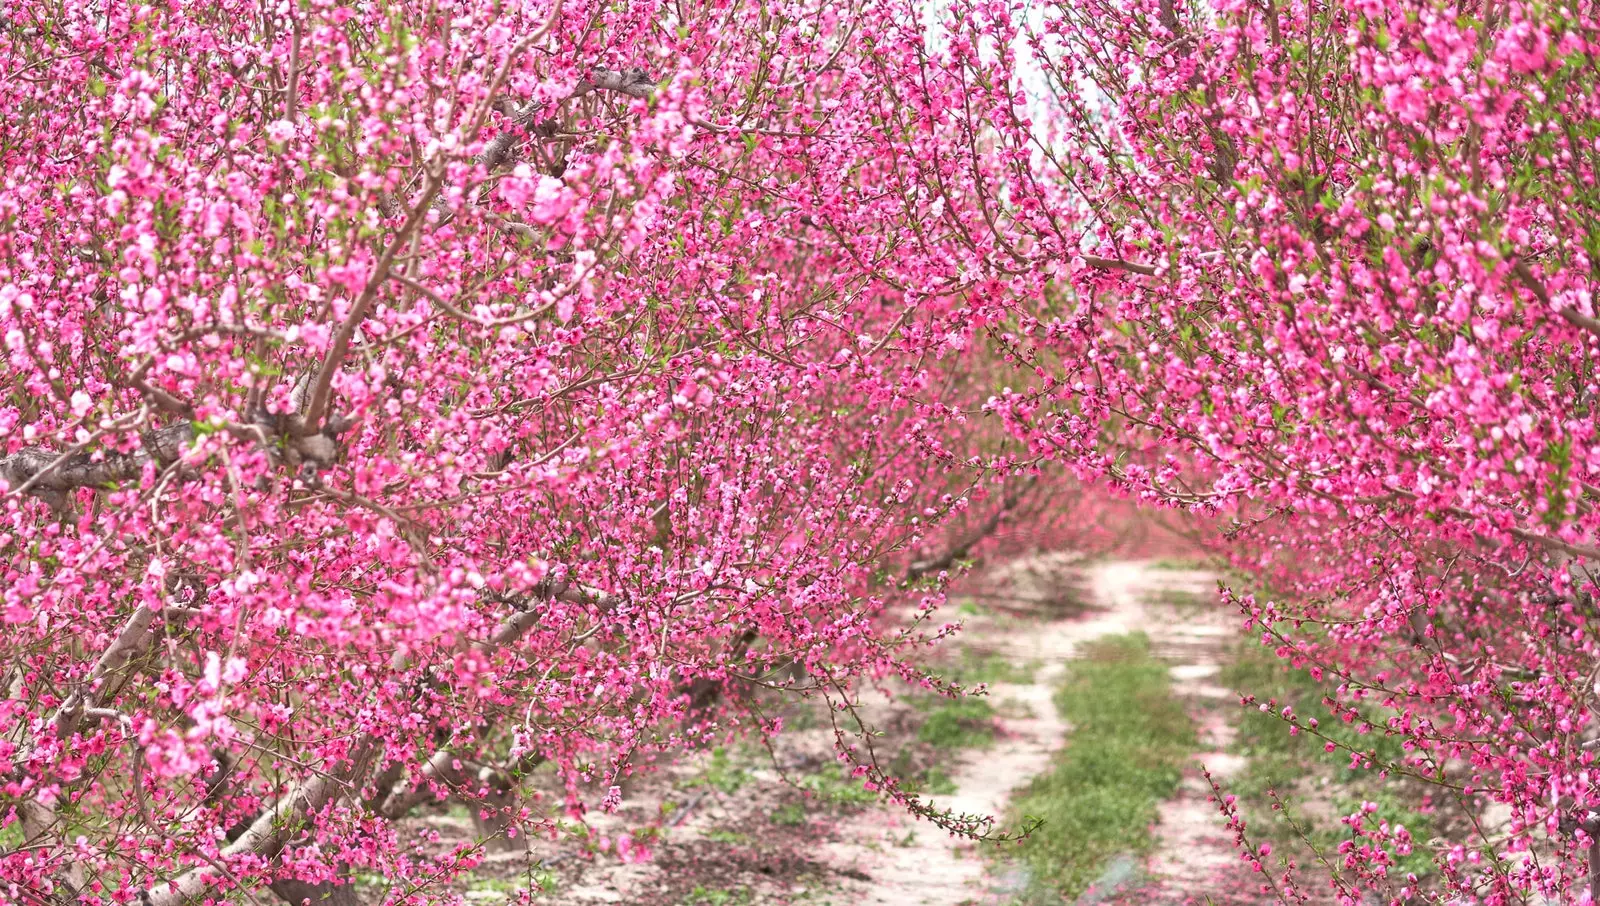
1127	753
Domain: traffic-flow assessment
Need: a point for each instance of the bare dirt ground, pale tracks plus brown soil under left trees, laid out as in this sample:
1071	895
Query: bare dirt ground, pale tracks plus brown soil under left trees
742	838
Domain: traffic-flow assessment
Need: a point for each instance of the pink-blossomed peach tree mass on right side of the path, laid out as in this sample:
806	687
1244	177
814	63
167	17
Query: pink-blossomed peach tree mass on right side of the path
1327	271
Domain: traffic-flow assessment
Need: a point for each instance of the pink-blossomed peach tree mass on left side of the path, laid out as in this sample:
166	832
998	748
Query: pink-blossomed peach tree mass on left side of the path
404	395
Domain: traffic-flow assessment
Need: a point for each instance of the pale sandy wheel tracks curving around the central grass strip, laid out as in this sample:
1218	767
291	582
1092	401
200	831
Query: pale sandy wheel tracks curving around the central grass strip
932	870
